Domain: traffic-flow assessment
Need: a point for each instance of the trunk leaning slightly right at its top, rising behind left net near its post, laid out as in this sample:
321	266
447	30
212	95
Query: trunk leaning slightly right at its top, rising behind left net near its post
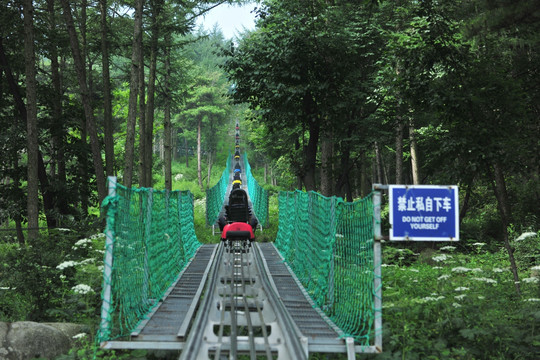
136	54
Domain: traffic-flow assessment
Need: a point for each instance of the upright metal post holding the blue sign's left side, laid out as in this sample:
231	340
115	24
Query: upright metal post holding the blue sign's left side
377	262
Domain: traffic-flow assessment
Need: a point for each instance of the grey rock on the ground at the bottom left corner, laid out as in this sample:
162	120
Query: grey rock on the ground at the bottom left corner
27	340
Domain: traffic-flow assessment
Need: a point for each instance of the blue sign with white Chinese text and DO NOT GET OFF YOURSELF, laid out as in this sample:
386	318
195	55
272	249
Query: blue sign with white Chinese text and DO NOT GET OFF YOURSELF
424	212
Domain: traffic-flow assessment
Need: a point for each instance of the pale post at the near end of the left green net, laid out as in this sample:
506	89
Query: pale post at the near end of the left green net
107	267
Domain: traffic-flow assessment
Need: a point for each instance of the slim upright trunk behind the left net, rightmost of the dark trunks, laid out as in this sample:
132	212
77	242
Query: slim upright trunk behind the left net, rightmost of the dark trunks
167	156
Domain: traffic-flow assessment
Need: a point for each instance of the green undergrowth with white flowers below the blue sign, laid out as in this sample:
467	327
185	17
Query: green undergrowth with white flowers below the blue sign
460	306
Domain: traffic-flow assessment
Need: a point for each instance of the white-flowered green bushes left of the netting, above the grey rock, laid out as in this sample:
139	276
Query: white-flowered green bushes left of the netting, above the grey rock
54	278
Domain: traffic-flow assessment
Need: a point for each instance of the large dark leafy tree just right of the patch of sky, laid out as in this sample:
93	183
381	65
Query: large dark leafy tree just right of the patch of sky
306	69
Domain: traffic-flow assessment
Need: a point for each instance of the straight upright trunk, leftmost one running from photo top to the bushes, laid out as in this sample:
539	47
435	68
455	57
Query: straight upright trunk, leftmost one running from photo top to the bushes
31	120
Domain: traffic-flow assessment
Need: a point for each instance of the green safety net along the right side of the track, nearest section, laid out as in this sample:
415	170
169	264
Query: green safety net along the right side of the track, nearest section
329	245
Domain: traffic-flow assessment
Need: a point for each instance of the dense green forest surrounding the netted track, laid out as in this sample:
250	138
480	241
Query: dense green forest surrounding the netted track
332	96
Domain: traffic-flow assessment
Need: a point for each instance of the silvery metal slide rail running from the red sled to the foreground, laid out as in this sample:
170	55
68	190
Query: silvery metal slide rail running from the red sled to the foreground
239	297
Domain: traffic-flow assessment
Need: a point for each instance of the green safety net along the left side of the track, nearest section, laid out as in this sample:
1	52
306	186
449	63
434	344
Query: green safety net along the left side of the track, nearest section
150	239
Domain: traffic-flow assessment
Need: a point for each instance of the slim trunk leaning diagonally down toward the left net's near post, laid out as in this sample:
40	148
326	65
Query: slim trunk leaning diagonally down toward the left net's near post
85	96
